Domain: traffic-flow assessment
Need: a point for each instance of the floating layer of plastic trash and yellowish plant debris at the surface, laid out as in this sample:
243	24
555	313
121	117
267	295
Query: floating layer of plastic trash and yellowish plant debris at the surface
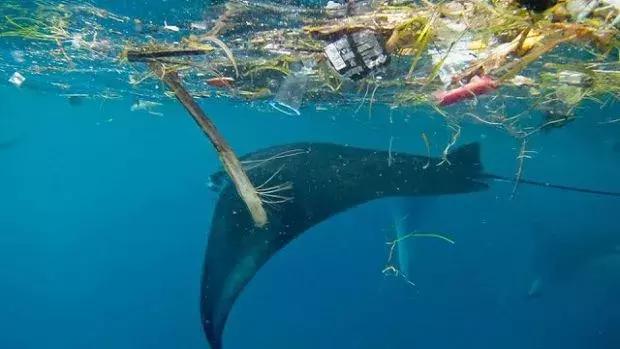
416	48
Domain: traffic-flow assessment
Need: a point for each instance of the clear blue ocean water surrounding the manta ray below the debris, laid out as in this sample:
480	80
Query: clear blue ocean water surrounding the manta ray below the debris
105	213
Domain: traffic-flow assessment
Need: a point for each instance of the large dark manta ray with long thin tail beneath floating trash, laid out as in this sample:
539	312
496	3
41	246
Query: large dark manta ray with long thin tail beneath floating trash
304	184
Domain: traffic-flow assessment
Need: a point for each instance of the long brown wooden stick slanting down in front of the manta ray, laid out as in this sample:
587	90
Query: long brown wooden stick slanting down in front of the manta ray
233	167
